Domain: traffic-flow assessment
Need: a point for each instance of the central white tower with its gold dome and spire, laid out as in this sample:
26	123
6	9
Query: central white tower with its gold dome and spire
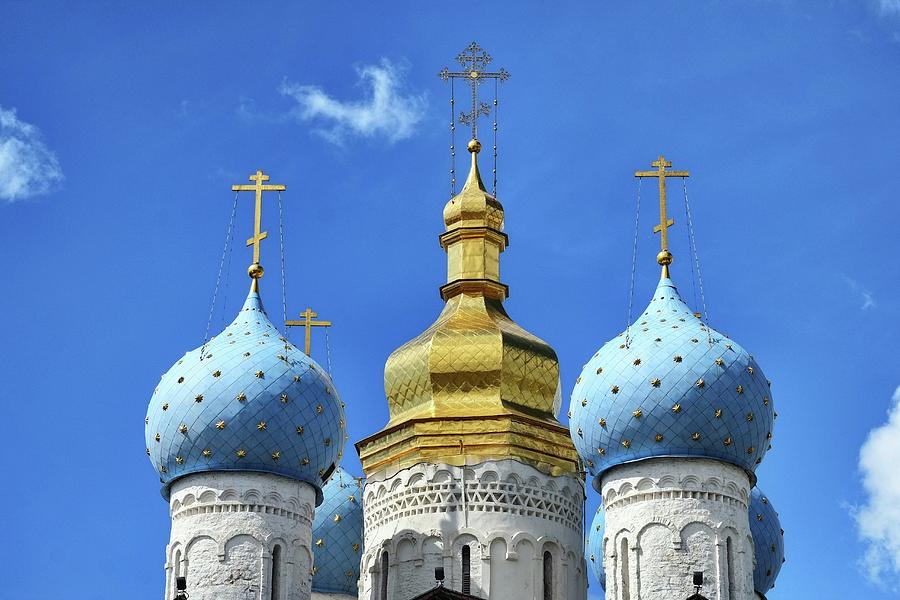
473	473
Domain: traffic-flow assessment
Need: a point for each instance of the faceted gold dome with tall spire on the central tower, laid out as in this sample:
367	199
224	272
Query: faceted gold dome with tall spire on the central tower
474	385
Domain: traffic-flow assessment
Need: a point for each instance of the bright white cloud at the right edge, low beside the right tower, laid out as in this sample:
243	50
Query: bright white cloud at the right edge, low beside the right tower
878	520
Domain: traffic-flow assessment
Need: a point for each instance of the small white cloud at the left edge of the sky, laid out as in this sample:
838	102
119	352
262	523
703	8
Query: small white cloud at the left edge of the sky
27	167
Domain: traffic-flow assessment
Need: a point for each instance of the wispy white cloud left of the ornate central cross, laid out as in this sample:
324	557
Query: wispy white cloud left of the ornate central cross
384	111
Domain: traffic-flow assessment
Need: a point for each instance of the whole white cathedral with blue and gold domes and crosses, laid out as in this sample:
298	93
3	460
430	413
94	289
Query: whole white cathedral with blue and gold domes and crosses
473	488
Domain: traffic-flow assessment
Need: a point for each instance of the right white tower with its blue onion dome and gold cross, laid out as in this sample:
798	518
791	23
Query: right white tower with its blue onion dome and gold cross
672	418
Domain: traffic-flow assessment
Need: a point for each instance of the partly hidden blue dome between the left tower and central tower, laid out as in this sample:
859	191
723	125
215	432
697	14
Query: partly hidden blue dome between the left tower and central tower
338	536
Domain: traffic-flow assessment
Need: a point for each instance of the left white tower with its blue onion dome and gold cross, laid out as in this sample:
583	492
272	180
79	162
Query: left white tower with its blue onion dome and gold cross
243	432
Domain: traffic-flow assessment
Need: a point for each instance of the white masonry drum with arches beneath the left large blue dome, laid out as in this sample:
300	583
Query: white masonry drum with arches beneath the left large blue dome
226	526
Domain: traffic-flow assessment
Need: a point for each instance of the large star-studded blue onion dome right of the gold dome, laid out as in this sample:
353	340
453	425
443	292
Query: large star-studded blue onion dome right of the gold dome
678	388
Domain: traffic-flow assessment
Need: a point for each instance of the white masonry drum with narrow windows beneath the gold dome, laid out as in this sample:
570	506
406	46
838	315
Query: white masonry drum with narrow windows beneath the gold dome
509	516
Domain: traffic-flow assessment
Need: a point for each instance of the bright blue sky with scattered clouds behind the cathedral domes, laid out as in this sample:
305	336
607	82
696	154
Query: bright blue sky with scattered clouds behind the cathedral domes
124	124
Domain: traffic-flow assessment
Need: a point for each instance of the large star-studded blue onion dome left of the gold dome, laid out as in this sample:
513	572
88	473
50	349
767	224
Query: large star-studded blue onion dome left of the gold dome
251	402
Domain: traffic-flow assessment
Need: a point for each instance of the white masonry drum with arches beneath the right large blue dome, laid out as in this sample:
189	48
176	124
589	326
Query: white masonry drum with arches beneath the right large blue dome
669	517
